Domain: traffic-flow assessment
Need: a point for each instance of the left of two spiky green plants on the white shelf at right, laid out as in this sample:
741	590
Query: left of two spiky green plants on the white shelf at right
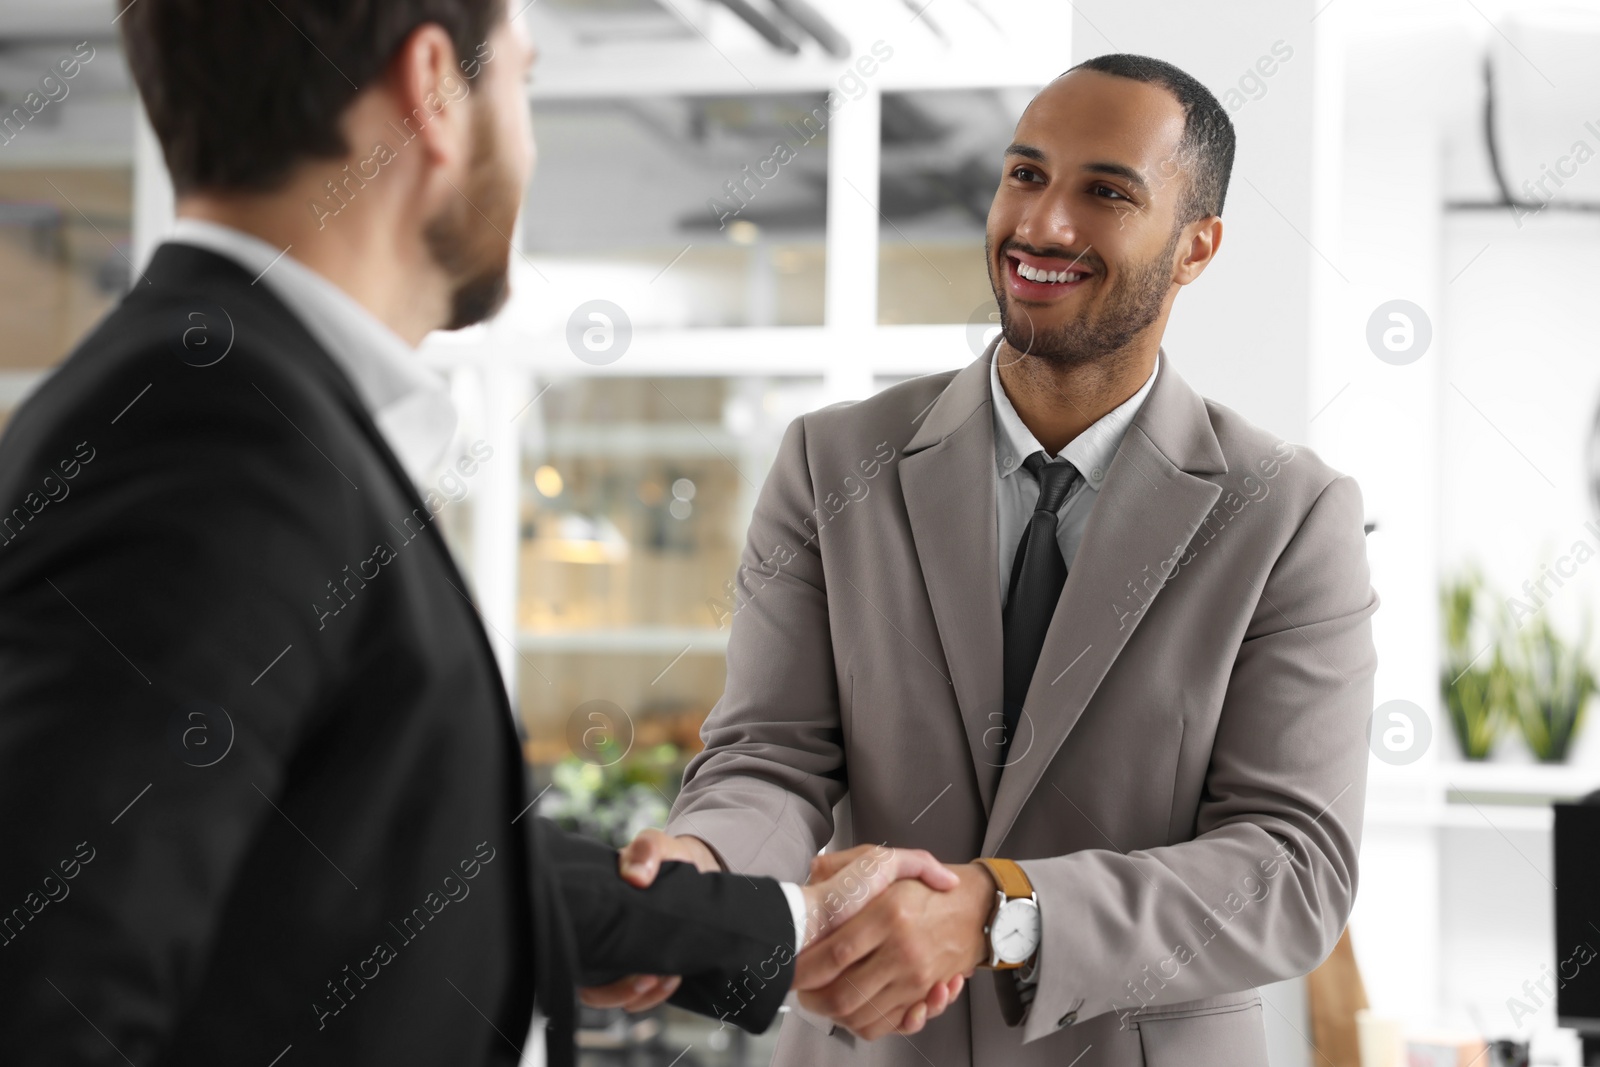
1476	687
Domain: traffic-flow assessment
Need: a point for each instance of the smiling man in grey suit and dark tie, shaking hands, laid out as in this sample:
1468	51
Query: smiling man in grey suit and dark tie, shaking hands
1060	613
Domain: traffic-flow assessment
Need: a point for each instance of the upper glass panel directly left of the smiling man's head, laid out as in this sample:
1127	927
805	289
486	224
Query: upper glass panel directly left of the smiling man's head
942	166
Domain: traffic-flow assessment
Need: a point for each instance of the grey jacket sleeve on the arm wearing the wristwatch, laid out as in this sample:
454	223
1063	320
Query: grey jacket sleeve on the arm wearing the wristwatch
1265	889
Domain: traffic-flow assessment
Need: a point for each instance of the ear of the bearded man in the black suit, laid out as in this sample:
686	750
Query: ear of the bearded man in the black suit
431	95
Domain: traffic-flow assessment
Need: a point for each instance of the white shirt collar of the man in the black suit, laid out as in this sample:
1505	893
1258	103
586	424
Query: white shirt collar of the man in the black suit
409	402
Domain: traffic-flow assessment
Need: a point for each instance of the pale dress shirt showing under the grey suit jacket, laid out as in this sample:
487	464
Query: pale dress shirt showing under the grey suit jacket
1017	497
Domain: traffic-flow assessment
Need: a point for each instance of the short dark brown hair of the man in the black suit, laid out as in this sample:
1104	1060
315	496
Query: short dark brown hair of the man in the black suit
241	92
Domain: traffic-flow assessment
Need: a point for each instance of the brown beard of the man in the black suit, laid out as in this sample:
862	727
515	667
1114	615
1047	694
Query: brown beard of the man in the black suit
470	238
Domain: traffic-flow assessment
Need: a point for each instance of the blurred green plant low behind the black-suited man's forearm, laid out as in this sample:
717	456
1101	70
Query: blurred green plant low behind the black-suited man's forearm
614	797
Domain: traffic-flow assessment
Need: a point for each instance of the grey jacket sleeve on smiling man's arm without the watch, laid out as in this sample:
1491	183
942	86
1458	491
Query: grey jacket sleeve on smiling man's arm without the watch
762	793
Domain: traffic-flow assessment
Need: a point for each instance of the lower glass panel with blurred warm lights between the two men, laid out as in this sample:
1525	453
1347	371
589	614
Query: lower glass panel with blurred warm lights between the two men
638	495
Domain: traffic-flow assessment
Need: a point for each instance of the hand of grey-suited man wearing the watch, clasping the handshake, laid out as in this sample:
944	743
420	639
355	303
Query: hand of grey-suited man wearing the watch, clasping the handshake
871	973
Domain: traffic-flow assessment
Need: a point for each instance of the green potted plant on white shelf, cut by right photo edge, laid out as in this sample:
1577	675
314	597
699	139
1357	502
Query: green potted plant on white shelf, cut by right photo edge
1551	689
